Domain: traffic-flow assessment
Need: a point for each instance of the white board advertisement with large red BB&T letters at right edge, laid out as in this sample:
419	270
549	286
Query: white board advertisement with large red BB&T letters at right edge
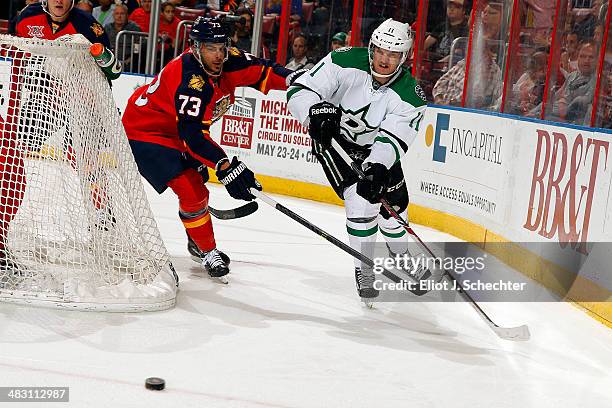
562	191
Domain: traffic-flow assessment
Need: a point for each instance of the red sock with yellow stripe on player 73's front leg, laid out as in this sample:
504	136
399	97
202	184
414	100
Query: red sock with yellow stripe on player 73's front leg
193	208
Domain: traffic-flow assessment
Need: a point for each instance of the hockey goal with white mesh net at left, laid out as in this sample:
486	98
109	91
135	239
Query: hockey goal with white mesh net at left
76	229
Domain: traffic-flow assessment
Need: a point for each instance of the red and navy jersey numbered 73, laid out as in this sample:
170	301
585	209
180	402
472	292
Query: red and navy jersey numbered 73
178	107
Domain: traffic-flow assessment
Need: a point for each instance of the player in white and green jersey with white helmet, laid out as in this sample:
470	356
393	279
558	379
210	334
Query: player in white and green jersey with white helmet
373	107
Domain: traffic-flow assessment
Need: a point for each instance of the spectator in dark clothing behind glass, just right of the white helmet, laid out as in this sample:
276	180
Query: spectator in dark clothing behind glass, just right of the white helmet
455	26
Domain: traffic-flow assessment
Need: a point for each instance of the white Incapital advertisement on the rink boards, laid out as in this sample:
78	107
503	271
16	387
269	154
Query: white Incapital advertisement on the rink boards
459	164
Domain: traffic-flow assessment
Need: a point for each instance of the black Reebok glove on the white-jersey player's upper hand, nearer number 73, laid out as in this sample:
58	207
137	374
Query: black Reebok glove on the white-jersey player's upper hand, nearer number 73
324	125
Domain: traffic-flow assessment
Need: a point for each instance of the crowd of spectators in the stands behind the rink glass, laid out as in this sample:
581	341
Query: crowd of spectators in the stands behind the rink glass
319	26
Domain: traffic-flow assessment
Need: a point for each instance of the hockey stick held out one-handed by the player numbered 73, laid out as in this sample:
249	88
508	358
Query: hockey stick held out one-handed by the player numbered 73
276	205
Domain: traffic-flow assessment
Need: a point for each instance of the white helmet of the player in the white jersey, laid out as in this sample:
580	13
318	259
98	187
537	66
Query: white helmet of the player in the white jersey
391	35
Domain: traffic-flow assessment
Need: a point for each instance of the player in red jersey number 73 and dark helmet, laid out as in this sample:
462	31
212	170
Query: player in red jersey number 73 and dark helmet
168	124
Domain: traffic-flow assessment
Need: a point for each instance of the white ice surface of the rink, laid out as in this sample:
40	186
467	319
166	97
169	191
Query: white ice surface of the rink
289	331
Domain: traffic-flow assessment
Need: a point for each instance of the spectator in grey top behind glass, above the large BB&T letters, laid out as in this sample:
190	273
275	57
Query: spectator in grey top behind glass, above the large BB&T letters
574	99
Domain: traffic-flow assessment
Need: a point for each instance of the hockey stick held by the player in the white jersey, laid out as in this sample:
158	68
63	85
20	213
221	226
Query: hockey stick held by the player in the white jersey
508	333
